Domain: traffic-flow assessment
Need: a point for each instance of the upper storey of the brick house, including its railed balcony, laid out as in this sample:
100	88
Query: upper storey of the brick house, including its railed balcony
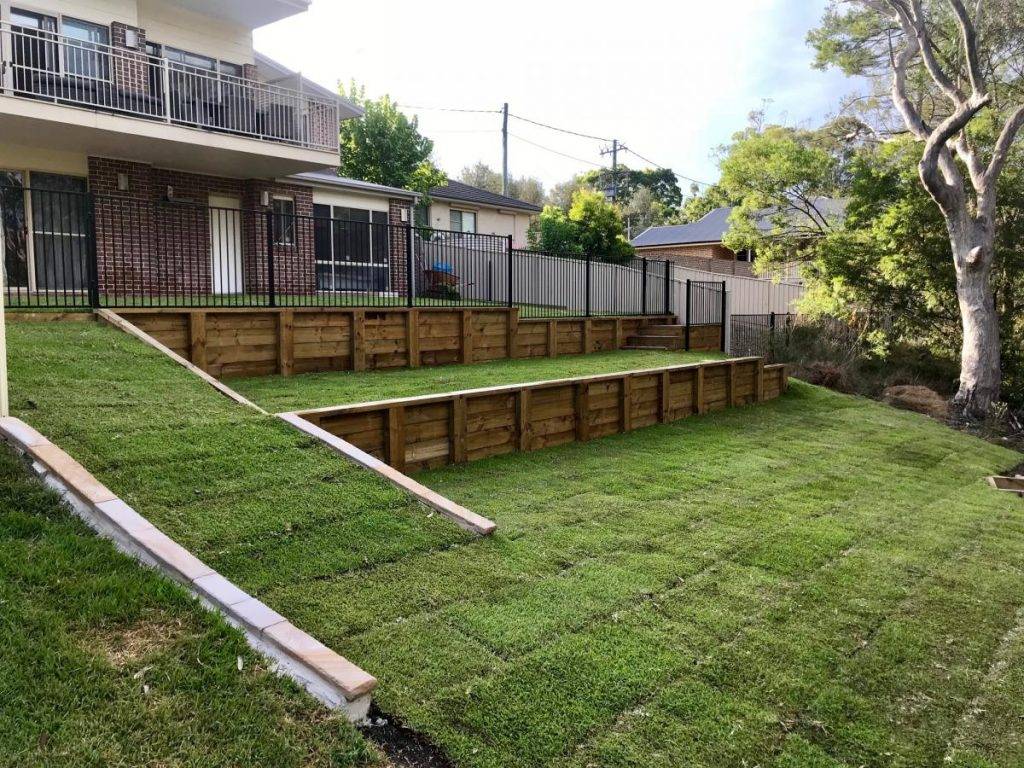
177	84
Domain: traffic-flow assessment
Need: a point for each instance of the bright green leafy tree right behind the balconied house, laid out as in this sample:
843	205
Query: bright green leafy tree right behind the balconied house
386	147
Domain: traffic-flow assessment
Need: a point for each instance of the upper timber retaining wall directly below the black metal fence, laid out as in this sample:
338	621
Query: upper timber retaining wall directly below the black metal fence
259	343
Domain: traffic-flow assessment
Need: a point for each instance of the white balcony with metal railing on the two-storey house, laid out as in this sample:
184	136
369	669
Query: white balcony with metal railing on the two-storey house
127	99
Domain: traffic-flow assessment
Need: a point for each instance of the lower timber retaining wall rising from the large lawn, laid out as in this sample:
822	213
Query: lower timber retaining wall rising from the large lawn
418	434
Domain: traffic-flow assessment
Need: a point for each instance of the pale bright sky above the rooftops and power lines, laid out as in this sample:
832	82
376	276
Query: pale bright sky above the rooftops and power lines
671	80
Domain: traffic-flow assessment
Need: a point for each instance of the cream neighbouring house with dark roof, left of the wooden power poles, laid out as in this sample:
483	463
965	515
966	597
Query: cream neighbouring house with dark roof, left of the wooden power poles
463	208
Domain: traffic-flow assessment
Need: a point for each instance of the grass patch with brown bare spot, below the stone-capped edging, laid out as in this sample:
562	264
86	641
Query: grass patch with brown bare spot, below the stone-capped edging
106	664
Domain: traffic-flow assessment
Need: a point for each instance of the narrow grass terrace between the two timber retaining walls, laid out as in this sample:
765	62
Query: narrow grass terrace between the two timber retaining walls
280	394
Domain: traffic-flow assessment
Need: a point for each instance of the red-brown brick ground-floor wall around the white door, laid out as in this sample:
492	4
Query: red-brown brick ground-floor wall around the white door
152	242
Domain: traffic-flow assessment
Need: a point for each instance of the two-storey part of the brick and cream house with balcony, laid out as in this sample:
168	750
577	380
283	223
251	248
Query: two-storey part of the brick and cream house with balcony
153	132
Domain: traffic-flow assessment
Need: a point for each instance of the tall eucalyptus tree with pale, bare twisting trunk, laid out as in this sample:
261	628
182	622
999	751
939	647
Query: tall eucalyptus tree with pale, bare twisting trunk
956	81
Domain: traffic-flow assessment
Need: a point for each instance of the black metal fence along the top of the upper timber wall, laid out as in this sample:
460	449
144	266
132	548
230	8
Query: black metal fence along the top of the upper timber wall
70	248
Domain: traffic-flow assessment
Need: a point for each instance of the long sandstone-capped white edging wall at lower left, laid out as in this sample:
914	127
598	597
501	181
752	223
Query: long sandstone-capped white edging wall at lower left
329	677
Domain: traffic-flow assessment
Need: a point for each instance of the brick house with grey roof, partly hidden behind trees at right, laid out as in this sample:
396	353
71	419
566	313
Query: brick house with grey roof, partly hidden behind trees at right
699	245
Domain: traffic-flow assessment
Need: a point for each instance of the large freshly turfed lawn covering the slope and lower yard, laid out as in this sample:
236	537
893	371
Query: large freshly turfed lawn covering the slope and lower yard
820	581
